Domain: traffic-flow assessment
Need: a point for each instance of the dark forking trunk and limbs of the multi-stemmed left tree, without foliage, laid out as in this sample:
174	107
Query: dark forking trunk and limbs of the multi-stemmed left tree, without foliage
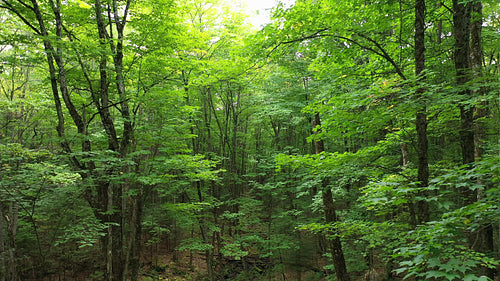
107	199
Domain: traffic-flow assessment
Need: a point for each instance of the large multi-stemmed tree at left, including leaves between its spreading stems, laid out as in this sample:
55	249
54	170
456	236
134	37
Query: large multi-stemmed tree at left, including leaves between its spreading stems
58	41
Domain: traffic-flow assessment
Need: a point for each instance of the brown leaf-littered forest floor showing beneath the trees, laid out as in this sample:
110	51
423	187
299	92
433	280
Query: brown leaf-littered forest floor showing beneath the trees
162	262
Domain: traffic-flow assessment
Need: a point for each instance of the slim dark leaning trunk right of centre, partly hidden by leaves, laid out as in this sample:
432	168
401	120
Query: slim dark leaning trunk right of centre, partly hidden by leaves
331	215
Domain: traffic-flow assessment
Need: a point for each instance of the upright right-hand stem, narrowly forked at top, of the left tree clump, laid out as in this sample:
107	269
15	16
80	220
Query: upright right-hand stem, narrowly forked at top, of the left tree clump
117	270
